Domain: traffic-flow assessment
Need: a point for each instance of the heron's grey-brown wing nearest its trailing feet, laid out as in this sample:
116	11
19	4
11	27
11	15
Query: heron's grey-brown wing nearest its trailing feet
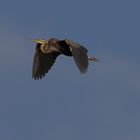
80	55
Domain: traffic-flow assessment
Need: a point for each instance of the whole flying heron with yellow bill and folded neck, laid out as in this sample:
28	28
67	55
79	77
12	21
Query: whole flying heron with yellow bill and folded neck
48	50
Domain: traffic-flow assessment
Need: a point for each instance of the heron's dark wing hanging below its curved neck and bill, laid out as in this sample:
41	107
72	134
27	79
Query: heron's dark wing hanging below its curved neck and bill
42	63
